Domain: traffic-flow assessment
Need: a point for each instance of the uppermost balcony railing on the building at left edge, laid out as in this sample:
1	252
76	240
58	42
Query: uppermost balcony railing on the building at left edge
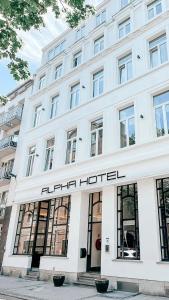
11	118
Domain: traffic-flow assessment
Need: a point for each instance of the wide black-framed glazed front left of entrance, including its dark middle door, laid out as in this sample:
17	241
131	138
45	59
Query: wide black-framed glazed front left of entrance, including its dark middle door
43	228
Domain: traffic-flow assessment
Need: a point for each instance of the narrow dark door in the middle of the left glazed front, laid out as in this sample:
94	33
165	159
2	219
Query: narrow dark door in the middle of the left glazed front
40	233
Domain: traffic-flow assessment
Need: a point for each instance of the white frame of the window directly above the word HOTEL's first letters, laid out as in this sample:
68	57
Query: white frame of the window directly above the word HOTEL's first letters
96	131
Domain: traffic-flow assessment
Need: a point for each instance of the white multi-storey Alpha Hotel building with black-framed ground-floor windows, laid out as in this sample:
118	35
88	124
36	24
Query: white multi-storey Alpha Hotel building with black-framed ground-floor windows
92	187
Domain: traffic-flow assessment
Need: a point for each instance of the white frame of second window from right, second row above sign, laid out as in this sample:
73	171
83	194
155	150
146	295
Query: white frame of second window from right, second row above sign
123	64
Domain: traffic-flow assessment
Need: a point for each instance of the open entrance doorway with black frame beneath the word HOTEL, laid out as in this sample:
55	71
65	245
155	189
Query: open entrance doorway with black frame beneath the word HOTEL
94	232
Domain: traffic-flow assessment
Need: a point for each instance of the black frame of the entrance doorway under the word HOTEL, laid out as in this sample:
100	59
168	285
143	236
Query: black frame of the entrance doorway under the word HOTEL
90	230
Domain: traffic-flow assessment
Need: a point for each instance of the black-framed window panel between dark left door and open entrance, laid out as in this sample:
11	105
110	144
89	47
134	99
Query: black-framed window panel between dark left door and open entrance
58	229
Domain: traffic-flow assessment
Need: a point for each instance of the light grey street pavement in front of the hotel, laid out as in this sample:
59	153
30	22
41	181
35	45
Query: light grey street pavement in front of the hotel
20	289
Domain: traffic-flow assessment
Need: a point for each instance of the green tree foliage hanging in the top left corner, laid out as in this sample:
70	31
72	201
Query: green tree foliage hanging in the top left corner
24	15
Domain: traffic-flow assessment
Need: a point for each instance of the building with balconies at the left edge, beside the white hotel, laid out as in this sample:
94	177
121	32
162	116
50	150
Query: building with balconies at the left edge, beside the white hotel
10	120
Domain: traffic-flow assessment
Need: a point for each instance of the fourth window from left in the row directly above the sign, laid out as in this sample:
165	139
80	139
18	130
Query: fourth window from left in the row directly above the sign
96	137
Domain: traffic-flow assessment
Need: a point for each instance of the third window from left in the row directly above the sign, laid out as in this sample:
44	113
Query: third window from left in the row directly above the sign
71	146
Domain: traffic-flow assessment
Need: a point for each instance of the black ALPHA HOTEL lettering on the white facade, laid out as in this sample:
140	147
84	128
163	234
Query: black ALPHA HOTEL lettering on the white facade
91	180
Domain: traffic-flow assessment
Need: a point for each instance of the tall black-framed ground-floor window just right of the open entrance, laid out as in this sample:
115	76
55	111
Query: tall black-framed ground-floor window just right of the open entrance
127	222
